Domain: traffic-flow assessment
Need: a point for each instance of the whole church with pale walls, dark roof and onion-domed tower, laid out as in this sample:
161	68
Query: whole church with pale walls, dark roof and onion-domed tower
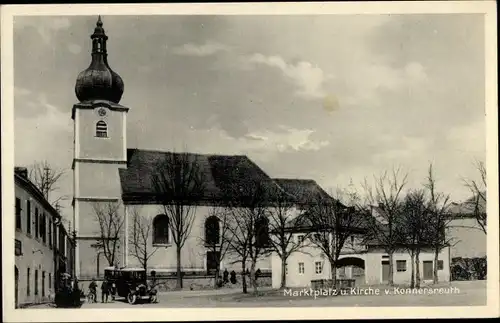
106	171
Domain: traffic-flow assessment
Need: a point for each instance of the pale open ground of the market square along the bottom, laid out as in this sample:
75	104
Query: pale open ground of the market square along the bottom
470	293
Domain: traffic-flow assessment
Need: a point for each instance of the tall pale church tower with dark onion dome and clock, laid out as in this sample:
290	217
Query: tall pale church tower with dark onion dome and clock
100	149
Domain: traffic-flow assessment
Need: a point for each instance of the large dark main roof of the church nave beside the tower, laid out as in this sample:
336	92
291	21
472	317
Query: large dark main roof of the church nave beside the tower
225	177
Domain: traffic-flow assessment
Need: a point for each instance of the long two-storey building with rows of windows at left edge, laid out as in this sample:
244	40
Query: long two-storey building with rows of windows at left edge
43	248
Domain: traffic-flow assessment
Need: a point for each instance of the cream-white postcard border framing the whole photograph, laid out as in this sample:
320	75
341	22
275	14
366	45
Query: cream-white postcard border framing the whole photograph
150	314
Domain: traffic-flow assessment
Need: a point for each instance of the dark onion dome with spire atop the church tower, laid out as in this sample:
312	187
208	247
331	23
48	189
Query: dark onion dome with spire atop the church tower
99	81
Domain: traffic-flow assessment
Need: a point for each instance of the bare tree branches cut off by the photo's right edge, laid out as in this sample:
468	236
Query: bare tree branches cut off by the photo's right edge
478	200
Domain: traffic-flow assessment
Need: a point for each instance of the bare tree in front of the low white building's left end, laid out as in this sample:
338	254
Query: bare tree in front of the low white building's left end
284	221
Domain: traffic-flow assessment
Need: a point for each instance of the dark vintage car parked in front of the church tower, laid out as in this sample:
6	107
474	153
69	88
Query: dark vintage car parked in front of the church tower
130	283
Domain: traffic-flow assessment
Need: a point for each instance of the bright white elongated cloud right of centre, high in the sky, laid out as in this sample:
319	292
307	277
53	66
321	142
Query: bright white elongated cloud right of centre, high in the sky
309	79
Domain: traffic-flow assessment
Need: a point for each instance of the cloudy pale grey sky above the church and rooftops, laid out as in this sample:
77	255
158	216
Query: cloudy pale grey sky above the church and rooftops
334	98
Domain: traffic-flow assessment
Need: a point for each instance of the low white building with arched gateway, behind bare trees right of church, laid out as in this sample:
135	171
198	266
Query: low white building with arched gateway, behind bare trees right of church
366	264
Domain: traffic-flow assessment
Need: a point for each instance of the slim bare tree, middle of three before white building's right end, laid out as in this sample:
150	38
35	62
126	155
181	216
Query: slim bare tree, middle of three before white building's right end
413	228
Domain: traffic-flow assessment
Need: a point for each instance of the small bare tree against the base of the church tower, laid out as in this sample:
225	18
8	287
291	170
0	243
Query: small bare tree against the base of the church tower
111	222
